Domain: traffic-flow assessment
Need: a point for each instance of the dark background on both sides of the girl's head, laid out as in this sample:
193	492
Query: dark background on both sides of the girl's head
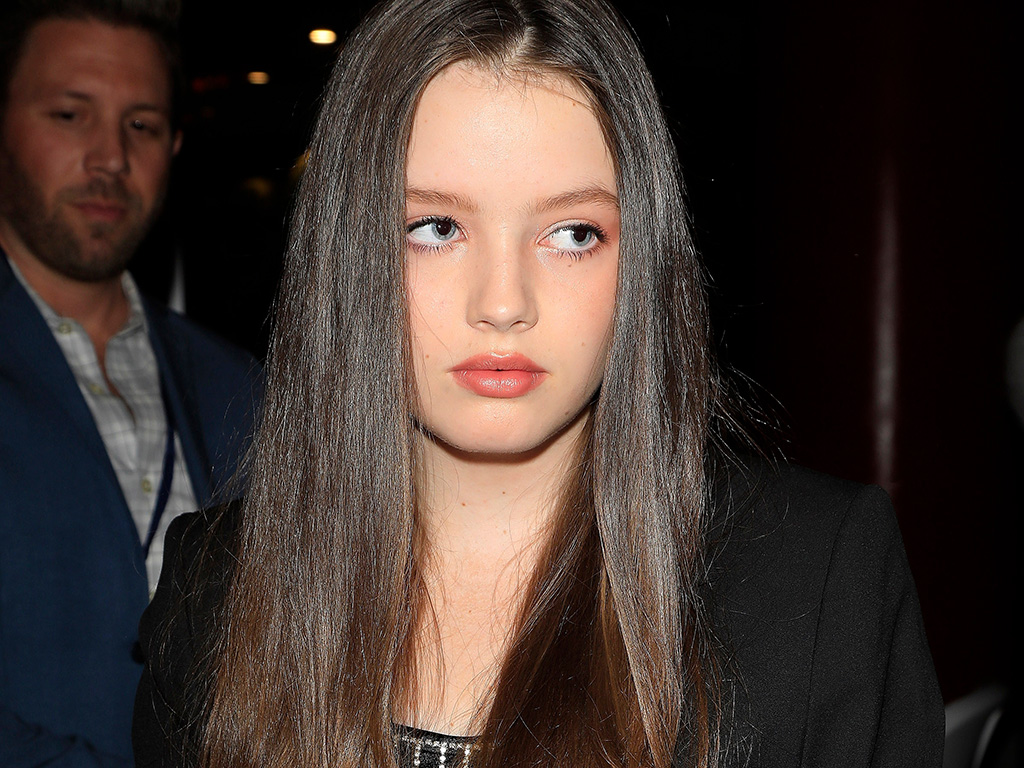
848	169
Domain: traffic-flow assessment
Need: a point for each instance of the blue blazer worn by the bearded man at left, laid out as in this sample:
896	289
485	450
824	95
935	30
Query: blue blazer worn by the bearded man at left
73	580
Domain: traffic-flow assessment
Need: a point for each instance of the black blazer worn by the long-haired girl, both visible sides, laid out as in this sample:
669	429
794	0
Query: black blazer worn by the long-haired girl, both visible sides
825	658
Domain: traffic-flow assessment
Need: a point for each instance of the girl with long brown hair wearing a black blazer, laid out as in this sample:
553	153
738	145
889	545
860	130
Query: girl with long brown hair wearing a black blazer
485	523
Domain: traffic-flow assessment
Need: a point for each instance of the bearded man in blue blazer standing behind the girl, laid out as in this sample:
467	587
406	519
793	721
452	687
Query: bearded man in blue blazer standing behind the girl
115	415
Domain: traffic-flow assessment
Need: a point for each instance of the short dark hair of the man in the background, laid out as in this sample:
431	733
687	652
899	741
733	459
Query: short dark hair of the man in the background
158	18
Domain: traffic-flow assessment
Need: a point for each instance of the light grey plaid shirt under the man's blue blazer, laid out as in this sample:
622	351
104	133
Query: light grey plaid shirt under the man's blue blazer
132	419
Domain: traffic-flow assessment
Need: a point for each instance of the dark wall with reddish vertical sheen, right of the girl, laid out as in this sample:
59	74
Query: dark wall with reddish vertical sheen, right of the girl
849	174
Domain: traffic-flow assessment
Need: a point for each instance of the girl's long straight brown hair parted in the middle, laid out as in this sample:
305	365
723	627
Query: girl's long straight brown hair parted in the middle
610	661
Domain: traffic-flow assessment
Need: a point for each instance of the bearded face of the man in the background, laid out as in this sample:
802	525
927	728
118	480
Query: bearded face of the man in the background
86	147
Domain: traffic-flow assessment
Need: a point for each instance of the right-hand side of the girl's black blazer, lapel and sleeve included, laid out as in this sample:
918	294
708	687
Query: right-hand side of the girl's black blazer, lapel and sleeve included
826	661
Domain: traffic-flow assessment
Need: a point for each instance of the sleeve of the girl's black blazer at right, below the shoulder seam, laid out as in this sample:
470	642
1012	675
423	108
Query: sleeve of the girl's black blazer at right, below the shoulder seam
874	699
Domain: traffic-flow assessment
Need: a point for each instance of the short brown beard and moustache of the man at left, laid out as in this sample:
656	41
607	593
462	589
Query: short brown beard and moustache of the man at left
99	254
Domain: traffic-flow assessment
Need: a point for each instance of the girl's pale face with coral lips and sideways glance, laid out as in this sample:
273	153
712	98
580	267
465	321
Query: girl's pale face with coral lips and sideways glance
513	259
